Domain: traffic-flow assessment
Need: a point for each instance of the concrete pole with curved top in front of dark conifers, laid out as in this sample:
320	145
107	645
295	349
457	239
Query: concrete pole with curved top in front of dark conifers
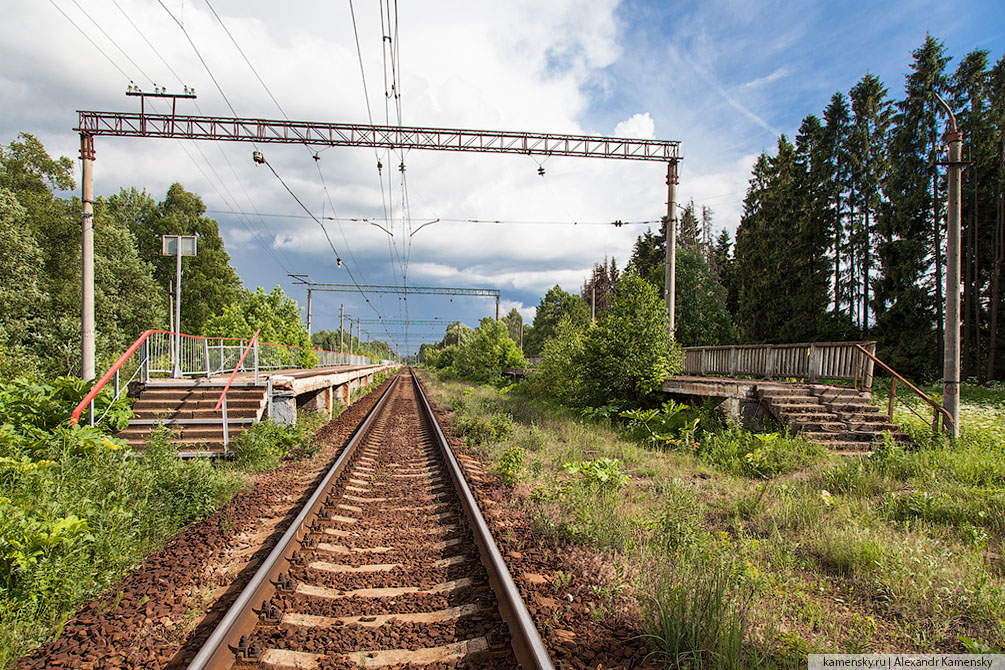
951	359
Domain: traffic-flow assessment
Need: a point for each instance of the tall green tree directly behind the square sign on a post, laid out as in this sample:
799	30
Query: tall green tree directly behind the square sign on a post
210	282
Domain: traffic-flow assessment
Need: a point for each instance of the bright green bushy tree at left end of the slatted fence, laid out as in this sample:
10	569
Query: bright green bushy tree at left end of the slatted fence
630	353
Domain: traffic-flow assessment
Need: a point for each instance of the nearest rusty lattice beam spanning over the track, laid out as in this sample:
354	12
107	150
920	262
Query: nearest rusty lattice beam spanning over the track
317	134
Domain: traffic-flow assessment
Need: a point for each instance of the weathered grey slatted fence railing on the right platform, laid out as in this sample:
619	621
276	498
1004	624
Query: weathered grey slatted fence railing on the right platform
808	361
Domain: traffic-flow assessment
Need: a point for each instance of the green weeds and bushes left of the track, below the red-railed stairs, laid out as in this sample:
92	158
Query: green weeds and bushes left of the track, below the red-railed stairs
79	510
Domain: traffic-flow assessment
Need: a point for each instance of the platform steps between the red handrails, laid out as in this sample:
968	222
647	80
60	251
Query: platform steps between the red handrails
186	407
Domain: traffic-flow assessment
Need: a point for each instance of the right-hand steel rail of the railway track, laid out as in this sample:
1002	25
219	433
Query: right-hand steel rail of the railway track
527	644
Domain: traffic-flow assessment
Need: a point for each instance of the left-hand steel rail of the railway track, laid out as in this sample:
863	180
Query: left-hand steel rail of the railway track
219	651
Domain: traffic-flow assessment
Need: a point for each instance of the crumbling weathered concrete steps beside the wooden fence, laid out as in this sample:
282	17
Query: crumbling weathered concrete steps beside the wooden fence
841	418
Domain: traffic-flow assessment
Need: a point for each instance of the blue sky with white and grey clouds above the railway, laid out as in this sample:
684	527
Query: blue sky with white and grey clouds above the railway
723	78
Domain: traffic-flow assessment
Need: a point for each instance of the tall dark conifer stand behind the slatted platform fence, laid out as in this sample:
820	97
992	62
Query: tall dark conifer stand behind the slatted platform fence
844	232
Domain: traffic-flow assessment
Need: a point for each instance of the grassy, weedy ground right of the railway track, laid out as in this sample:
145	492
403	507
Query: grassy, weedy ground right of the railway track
744	550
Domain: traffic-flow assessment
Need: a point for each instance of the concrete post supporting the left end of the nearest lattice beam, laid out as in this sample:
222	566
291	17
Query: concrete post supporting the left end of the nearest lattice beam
88	259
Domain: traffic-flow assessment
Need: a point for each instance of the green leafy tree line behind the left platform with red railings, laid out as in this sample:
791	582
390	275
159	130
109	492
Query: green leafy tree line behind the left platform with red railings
41	273
